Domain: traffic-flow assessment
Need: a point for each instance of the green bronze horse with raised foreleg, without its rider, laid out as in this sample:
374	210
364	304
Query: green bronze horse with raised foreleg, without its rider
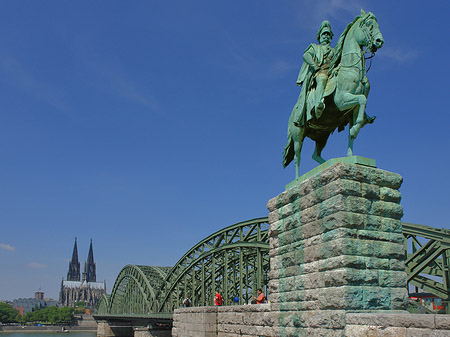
345	95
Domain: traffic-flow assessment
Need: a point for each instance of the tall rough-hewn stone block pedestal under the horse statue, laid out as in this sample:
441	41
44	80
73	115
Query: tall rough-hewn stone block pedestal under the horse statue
336	246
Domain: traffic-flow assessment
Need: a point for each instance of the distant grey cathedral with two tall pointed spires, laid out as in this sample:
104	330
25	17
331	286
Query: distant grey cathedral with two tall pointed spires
86	290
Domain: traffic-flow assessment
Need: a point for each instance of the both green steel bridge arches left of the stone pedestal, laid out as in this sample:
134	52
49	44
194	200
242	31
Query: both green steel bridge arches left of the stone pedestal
233	261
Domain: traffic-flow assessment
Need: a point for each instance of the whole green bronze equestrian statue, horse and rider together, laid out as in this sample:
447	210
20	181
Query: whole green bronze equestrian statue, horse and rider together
334	88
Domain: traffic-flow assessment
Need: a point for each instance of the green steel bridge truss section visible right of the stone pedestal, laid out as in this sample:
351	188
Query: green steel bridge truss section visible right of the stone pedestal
428	258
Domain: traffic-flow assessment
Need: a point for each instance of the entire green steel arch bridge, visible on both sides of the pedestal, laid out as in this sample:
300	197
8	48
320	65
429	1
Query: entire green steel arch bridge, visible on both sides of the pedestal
235	261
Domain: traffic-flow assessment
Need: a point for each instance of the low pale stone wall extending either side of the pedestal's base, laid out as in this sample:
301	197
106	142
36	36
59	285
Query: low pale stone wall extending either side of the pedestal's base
263	321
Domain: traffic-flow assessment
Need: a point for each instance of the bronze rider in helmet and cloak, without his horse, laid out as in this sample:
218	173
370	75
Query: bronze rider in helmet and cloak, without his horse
317	60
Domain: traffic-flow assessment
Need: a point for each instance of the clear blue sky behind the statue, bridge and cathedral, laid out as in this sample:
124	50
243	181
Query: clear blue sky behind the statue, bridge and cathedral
148	125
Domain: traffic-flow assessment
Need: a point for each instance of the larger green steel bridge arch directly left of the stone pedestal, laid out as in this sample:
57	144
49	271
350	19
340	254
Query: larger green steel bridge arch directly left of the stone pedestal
234	261
